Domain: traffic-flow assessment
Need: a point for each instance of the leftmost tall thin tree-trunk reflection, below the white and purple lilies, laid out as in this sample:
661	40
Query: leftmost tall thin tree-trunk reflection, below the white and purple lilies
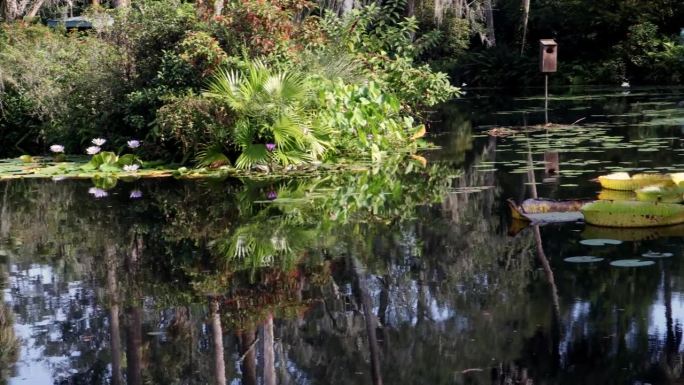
115	331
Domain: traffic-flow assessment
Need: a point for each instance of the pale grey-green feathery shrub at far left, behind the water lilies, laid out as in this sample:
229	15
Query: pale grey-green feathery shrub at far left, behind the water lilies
69	83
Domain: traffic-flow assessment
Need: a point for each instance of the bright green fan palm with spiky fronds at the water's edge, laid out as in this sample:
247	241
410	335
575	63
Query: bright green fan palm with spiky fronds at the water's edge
273	119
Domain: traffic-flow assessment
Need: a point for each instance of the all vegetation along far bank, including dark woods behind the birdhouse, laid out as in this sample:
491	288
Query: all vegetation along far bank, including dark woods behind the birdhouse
284	85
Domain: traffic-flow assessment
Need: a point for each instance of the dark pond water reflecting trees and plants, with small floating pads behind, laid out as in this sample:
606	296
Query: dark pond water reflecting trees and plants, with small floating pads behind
401	274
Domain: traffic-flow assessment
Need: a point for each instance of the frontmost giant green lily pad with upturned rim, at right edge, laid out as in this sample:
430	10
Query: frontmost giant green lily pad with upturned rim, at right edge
632	214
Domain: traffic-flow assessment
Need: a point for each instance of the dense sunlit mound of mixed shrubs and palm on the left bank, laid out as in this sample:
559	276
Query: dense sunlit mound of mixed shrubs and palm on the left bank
261	85
